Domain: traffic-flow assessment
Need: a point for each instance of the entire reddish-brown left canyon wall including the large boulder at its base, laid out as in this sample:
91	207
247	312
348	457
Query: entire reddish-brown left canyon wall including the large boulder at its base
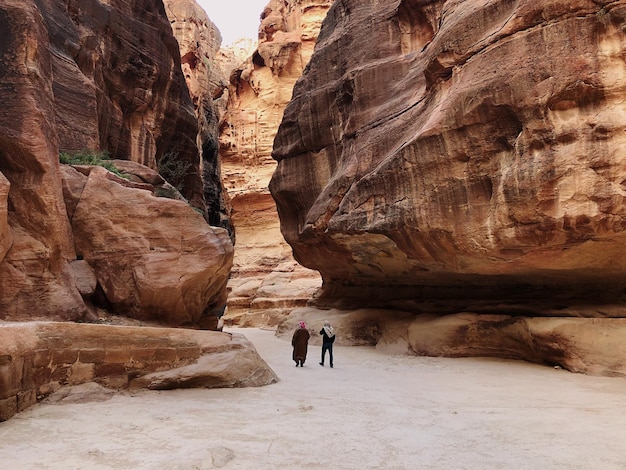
93	75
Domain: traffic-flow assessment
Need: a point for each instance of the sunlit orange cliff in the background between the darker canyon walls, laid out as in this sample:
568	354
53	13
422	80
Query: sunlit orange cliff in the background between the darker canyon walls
260	89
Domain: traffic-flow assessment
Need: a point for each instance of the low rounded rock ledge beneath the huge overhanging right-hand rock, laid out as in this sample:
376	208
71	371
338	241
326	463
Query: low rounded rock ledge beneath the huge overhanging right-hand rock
592	346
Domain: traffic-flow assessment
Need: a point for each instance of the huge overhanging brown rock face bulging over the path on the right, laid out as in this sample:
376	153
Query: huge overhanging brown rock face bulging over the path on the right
465	152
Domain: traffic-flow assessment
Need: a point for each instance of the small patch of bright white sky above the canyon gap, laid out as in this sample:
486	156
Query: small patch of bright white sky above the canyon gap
235	18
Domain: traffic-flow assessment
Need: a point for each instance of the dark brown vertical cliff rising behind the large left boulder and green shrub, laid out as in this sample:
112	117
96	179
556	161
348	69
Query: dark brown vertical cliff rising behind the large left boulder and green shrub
118	86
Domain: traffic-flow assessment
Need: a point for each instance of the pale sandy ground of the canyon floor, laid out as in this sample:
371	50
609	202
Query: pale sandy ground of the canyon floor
370	412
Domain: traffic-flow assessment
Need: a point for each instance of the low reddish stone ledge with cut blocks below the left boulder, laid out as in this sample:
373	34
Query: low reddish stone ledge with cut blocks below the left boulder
118	357
